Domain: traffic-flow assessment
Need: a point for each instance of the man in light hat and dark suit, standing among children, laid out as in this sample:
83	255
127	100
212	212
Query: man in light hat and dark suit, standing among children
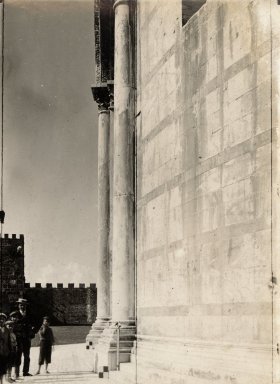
24	332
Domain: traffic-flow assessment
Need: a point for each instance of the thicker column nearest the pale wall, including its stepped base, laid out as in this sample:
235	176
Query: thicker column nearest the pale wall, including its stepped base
123	269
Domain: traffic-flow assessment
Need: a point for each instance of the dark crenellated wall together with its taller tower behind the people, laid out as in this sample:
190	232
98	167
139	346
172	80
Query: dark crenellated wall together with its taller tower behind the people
64	305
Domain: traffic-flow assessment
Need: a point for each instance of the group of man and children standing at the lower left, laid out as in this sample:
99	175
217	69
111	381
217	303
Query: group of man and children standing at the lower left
16	333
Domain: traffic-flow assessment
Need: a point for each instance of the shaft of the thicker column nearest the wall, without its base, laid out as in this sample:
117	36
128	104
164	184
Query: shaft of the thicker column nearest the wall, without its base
123	188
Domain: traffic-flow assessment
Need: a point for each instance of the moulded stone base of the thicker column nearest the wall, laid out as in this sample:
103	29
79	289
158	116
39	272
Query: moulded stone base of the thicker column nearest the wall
106	349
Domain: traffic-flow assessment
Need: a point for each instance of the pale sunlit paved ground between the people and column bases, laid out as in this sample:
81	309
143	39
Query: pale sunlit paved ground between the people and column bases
70	364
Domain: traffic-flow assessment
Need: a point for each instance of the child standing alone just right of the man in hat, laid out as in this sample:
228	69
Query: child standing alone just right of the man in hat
46	343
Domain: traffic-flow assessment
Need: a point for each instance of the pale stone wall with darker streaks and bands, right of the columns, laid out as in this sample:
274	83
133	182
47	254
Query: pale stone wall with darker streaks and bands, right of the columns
204	199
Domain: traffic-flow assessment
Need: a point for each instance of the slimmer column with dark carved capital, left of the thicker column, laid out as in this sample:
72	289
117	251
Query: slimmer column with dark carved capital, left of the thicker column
101	96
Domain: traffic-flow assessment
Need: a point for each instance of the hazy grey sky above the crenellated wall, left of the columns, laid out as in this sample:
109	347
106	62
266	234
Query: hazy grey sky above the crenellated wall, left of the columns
50	137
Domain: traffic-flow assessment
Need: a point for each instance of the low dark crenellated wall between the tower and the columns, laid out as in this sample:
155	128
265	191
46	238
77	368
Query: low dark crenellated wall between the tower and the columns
65	305
